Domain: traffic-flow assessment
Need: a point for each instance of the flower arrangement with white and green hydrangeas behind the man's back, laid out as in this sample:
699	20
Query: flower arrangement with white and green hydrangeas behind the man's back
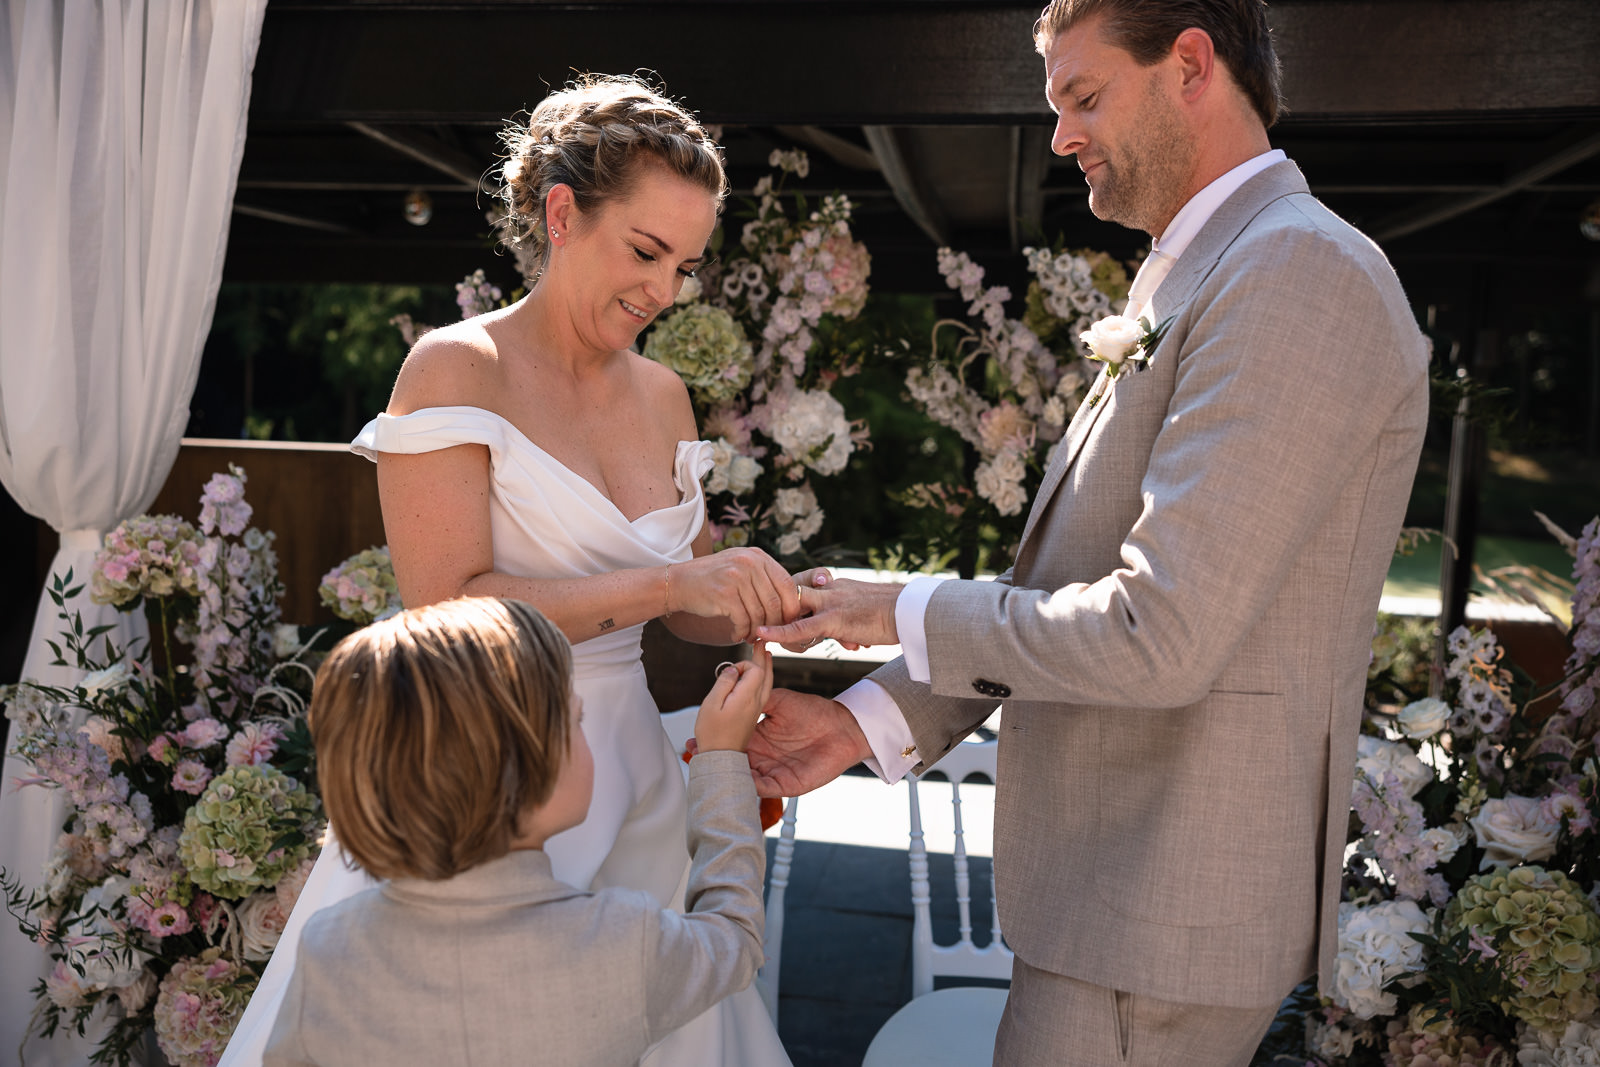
1471	922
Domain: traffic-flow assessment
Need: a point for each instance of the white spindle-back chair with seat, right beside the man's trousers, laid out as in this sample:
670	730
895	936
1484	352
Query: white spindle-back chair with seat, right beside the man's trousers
950	1026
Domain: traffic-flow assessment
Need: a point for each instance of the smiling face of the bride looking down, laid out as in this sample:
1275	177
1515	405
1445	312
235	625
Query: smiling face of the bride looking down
623	263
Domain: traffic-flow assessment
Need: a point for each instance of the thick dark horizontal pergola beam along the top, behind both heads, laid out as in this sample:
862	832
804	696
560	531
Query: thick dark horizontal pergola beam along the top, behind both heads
889	62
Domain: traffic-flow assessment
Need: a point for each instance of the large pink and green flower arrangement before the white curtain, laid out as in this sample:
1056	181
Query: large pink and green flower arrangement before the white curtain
185	761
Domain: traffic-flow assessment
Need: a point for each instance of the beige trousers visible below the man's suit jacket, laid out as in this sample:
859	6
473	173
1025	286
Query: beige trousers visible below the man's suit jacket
1058	1021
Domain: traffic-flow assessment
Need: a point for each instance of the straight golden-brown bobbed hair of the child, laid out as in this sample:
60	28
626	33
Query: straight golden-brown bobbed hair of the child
438	729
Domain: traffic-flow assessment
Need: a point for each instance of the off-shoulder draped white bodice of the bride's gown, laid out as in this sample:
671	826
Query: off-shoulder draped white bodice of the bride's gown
551	522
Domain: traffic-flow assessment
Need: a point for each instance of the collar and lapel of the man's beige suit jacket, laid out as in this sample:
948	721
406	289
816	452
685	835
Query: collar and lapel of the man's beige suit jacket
1177	290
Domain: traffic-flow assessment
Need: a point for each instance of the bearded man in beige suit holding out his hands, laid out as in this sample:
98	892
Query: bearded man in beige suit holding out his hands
1182	644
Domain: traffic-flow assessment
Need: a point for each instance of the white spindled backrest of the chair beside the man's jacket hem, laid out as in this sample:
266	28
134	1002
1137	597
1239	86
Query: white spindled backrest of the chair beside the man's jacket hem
964	957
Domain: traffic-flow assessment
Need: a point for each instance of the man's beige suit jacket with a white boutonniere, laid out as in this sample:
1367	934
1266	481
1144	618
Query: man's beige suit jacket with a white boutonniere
1185	636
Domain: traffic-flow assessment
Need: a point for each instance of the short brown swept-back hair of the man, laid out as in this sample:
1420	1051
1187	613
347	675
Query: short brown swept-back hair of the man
1146	31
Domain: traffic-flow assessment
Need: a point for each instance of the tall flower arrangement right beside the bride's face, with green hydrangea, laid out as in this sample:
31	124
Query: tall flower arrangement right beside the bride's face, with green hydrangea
751	338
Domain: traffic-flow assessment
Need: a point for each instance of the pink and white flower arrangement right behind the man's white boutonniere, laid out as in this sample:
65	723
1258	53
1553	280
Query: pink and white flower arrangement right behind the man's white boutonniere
1009	386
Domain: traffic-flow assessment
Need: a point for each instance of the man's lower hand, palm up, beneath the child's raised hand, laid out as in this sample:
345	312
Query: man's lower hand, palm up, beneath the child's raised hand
806	741
